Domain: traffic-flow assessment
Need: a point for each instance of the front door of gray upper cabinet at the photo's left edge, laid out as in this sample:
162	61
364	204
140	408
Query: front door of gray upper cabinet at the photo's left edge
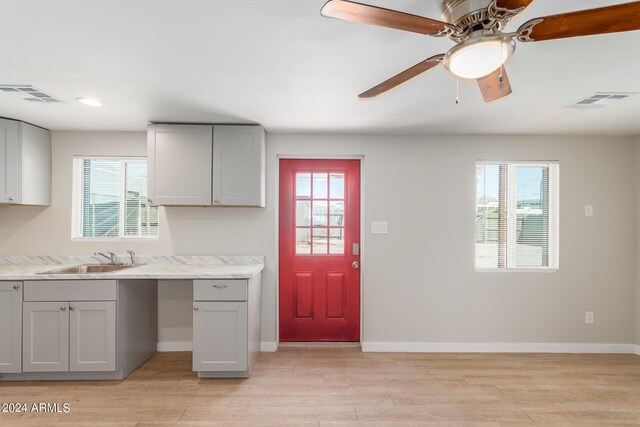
9	161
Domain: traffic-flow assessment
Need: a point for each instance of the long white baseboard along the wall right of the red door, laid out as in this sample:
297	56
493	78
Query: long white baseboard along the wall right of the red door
426	347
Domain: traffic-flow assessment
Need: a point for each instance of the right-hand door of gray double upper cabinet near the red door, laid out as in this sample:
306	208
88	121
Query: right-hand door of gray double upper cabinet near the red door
239	166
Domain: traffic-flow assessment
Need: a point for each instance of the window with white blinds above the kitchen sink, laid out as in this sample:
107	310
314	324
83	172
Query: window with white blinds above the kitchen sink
110	199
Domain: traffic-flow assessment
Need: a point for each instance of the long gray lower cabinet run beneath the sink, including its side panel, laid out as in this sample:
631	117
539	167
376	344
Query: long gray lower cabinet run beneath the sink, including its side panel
77	329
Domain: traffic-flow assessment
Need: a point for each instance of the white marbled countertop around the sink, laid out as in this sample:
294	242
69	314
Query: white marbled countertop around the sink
151	267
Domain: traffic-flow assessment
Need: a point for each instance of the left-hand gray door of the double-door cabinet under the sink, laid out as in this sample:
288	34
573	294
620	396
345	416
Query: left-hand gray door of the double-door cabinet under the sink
45	337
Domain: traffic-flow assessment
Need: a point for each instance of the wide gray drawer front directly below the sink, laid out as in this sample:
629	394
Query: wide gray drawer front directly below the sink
70	290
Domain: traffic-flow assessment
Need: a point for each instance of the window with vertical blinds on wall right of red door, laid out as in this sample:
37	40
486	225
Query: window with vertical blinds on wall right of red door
516	215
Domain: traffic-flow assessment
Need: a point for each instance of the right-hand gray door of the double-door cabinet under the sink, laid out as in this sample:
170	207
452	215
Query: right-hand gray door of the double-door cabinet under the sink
92	337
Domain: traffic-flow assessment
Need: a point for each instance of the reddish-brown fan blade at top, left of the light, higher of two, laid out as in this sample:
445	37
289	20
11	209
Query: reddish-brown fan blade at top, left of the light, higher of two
357	12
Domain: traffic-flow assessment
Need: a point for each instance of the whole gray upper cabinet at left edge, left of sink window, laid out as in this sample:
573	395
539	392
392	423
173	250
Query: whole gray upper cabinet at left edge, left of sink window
25	164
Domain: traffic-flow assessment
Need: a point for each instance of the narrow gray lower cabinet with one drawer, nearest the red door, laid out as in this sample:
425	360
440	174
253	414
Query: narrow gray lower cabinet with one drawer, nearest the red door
226	327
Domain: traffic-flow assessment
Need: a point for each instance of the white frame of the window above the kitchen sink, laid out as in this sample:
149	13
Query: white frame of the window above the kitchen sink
76	202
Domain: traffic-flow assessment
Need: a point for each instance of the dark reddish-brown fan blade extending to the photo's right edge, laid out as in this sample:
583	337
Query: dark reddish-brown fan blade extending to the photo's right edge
603	20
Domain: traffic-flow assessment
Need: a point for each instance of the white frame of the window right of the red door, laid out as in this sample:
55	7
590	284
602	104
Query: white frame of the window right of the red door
554	216
